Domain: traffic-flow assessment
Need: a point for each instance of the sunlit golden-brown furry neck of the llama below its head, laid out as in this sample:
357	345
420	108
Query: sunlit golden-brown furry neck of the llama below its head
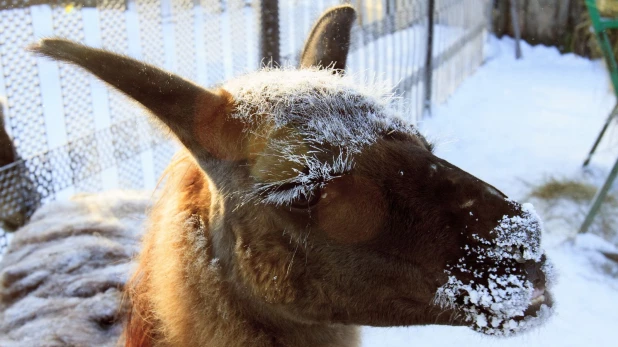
186	288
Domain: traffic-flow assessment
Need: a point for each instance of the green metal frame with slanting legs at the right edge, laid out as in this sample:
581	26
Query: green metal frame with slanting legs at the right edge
601	26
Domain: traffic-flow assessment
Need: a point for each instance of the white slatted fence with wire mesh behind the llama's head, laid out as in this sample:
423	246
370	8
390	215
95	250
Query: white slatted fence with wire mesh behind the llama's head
72	134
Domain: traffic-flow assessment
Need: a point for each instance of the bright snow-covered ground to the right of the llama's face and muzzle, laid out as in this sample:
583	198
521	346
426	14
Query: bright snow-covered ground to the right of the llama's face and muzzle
514	122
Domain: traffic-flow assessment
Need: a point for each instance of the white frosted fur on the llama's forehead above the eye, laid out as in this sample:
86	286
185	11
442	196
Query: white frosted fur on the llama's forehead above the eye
345	118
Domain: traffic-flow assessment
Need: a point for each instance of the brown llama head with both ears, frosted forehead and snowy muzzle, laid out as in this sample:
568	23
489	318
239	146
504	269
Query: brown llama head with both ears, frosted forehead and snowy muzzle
327	207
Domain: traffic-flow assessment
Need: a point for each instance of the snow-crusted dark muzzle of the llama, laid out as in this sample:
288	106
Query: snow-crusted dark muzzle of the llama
501	284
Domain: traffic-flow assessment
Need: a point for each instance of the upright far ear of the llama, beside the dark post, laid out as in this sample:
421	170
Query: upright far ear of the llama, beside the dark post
329	40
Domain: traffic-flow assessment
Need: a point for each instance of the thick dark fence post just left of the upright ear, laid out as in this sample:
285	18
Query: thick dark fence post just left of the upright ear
269	31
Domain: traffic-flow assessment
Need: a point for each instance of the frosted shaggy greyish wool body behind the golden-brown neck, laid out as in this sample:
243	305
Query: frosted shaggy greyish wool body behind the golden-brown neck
61	278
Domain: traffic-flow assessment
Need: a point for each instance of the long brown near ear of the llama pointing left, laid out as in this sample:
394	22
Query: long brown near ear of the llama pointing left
197	116
